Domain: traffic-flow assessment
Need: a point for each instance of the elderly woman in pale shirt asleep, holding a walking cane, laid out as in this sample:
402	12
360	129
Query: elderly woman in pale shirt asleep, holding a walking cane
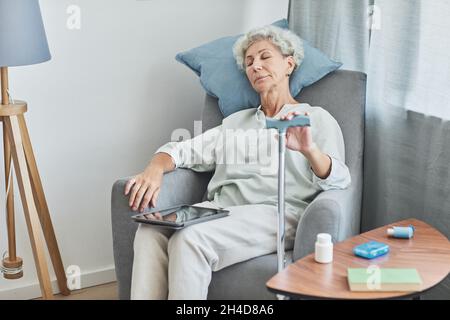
179	264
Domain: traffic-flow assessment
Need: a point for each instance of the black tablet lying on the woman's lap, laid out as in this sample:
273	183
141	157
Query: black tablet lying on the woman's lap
180	216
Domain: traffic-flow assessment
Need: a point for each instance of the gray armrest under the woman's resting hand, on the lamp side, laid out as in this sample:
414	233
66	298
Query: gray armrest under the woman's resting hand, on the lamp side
178	187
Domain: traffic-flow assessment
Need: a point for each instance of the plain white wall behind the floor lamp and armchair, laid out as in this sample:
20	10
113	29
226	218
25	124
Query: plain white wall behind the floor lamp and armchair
110	96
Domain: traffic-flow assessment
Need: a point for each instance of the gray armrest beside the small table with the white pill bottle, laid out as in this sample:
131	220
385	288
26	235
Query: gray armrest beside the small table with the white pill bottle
324	214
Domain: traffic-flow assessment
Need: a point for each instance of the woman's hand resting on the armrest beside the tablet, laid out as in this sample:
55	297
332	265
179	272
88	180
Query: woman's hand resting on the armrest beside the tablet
144	188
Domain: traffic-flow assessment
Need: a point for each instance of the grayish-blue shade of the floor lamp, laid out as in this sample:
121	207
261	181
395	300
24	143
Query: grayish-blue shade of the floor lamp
22	34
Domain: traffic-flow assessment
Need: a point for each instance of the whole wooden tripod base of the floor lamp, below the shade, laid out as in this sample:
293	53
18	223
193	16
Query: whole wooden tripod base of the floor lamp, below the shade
17	148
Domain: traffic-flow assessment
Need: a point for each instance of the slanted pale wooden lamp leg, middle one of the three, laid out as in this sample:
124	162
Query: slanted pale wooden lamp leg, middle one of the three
29	208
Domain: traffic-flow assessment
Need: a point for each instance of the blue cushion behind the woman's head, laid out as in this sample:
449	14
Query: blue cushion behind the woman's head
219	75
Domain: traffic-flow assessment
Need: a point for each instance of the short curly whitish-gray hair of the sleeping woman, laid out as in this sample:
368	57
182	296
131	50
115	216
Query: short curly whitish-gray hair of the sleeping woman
285	40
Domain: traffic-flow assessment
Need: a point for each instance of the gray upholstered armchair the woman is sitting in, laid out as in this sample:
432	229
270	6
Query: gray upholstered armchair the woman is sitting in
336	212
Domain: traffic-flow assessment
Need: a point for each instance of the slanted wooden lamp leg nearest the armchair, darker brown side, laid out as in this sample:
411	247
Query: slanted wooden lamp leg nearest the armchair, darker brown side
42	208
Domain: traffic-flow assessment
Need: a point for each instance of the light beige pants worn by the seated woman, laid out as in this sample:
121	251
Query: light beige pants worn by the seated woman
179	265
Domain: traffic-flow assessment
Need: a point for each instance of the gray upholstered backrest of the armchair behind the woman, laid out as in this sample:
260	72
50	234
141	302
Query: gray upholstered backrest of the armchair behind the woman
343	94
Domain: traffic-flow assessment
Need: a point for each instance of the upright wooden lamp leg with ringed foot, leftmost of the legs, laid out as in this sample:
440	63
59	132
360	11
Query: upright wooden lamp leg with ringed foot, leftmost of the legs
11	261
